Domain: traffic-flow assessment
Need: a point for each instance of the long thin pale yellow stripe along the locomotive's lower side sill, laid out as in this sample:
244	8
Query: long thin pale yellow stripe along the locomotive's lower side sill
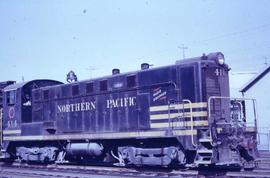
112	135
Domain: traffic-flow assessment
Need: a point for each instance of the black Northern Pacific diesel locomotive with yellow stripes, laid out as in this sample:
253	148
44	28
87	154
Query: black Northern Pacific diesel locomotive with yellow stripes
172	115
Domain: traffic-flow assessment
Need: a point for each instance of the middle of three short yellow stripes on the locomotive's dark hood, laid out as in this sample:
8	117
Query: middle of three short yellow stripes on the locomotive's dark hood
174	115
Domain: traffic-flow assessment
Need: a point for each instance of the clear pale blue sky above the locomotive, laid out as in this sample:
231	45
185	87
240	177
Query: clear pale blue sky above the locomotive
47	39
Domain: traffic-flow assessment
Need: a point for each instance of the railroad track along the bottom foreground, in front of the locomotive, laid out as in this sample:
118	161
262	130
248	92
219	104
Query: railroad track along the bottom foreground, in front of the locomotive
18	170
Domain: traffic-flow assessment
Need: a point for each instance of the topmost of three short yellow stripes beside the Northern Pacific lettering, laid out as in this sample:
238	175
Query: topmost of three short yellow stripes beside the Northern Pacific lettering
178	106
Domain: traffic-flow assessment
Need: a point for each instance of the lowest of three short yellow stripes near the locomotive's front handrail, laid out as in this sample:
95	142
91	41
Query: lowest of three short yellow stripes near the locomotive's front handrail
179	124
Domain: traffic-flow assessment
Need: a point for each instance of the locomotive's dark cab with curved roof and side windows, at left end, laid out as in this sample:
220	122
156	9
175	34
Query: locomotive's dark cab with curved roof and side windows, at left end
17	109
